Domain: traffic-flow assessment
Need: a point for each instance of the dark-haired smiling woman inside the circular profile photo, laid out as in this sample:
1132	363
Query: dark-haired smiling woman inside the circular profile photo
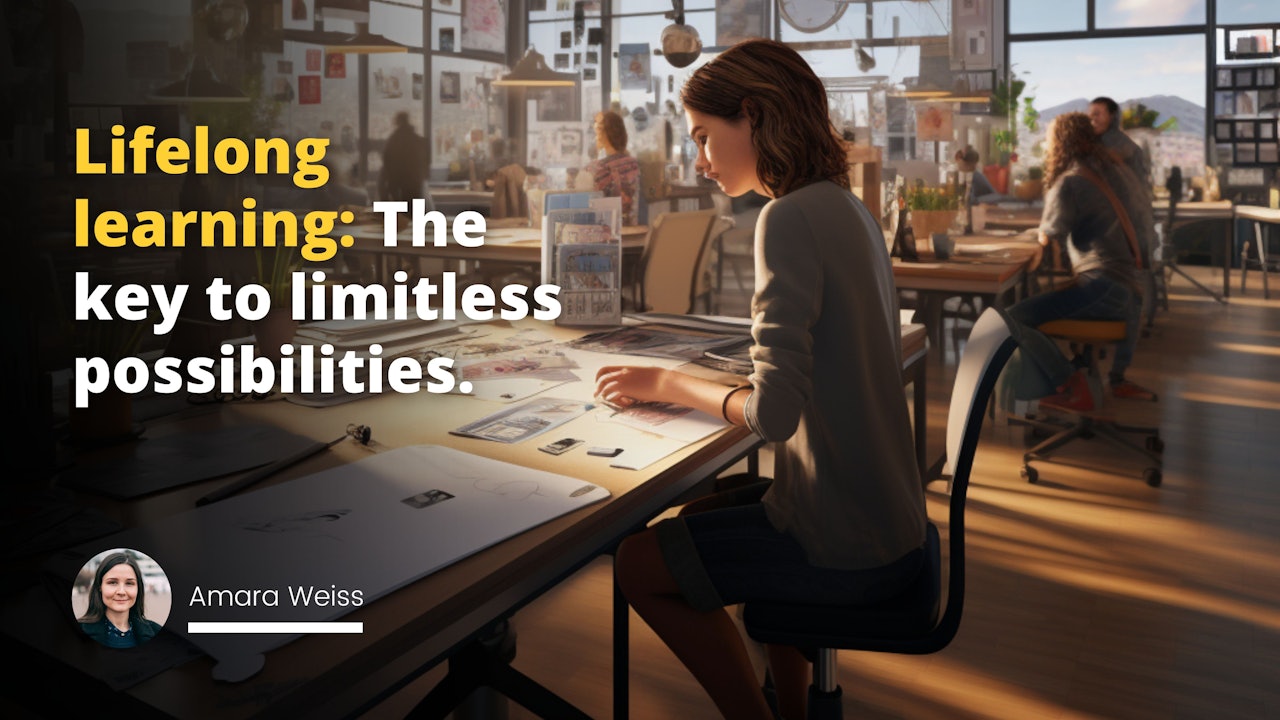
117	604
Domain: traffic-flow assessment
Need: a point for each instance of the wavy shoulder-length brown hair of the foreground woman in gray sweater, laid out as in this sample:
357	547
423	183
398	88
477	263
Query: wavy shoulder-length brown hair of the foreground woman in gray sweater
787	104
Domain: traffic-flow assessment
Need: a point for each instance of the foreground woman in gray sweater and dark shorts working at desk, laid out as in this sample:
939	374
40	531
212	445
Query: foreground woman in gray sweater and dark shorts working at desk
844	521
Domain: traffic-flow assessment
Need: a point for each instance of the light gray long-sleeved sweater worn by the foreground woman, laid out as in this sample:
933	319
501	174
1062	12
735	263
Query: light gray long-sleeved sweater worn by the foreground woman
829	382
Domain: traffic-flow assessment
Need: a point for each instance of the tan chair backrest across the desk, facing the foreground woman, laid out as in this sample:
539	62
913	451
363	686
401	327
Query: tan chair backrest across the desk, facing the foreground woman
674	257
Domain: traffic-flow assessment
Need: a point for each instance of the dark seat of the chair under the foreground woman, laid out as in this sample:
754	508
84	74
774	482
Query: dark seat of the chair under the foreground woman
912	614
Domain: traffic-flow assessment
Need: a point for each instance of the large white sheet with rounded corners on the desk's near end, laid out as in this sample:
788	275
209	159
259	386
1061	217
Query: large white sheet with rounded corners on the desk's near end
374	526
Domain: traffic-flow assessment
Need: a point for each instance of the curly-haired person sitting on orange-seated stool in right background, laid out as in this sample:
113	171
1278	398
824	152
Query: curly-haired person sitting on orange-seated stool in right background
1105	281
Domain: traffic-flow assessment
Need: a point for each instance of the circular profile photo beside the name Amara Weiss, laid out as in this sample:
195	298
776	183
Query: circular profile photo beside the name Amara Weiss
121	598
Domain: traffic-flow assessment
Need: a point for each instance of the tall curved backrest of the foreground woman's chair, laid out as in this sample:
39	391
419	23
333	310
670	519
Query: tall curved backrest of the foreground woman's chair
985	358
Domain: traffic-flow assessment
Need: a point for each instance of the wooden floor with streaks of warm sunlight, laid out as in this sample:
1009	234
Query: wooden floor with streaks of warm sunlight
1091	595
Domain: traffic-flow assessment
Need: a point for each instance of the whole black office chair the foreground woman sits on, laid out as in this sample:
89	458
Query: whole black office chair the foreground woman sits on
915	622
